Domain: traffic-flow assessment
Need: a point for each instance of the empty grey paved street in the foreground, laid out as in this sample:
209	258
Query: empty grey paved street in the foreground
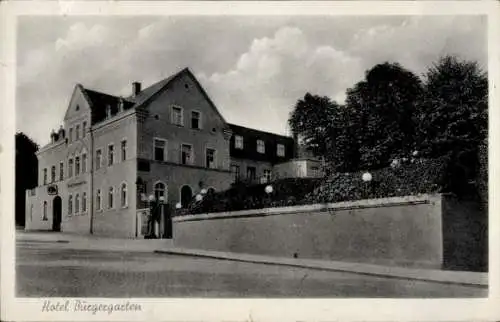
46	268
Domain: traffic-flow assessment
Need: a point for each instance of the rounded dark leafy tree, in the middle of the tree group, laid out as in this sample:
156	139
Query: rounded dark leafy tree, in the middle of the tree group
382	108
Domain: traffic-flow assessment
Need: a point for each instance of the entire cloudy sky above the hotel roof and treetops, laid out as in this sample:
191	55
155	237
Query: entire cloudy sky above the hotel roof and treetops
254	68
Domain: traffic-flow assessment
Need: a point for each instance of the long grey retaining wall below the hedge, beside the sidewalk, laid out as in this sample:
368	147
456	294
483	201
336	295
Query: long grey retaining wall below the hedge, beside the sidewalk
403	231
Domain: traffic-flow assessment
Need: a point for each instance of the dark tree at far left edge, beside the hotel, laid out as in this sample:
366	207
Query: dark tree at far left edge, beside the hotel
26	173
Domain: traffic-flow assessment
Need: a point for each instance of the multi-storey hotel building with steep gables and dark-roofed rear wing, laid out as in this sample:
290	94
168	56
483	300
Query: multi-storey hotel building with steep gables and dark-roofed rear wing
168	141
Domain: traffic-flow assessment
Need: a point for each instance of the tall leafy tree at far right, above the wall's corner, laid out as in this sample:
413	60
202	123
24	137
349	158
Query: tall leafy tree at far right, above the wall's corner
452	118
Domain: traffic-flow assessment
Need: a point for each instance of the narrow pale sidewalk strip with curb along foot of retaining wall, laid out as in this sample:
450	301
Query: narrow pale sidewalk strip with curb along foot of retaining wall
287	262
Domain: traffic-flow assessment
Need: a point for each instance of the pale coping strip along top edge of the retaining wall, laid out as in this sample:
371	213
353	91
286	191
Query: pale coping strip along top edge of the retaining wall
345	205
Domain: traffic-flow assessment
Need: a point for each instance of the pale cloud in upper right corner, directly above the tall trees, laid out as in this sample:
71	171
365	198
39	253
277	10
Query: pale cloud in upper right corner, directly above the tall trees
420	40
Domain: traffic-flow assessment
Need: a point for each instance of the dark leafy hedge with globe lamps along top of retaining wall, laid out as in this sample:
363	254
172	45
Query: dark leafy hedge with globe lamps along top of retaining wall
404	177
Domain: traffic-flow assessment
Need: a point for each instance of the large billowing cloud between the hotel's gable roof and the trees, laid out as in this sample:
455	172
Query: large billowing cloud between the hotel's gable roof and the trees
262	88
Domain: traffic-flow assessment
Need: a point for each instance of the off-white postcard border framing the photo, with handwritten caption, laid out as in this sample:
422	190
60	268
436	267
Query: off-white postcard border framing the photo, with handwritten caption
20	309
